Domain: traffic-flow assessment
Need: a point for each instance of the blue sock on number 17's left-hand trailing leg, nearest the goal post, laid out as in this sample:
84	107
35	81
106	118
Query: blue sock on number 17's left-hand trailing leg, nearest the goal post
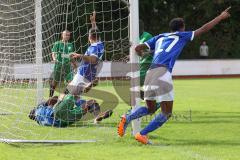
140	112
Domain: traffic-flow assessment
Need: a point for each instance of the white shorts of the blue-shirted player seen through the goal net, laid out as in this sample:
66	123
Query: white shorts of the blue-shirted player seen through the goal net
78	84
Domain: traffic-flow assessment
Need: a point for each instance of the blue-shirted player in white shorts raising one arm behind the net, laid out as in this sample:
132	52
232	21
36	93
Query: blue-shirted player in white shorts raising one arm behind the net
90	60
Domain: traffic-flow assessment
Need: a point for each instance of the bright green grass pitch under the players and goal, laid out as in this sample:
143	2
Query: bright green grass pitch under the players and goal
205	126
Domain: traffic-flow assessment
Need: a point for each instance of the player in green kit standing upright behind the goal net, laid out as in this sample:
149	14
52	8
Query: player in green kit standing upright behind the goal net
61	52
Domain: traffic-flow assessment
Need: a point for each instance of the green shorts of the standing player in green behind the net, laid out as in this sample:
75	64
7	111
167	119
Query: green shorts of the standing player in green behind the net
62	72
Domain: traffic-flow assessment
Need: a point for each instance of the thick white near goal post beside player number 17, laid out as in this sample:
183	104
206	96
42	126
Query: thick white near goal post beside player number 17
134	40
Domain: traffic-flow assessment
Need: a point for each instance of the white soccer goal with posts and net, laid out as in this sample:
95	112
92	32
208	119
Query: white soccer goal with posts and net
29	28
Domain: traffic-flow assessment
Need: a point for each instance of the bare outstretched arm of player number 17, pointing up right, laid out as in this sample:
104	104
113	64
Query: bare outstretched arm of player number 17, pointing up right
208	26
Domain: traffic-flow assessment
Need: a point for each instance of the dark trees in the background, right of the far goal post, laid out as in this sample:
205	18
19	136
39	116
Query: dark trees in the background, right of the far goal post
112	20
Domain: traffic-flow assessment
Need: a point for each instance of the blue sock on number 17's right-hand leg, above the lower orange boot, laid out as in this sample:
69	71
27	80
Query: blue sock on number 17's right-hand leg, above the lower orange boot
157	122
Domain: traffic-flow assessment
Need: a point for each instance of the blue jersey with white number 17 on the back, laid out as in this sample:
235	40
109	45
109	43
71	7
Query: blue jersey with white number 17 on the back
167	47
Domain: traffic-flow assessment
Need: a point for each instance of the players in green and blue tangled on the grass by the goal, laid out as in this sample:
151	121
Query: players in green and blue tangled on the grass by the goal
66	110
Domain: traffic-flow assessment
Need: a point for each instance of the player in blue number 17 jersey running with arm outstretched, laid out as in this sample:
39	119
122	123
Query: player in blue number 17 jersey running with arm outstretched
158	84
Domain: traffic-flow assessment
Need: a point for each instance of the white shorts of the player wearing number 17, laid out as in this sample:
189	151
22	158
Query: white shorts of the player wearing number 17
158	85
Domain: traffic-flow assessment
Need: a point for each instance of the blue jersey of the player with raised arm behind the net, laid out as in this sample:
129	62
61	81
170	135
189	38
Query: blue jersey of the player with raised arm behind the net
88	70
